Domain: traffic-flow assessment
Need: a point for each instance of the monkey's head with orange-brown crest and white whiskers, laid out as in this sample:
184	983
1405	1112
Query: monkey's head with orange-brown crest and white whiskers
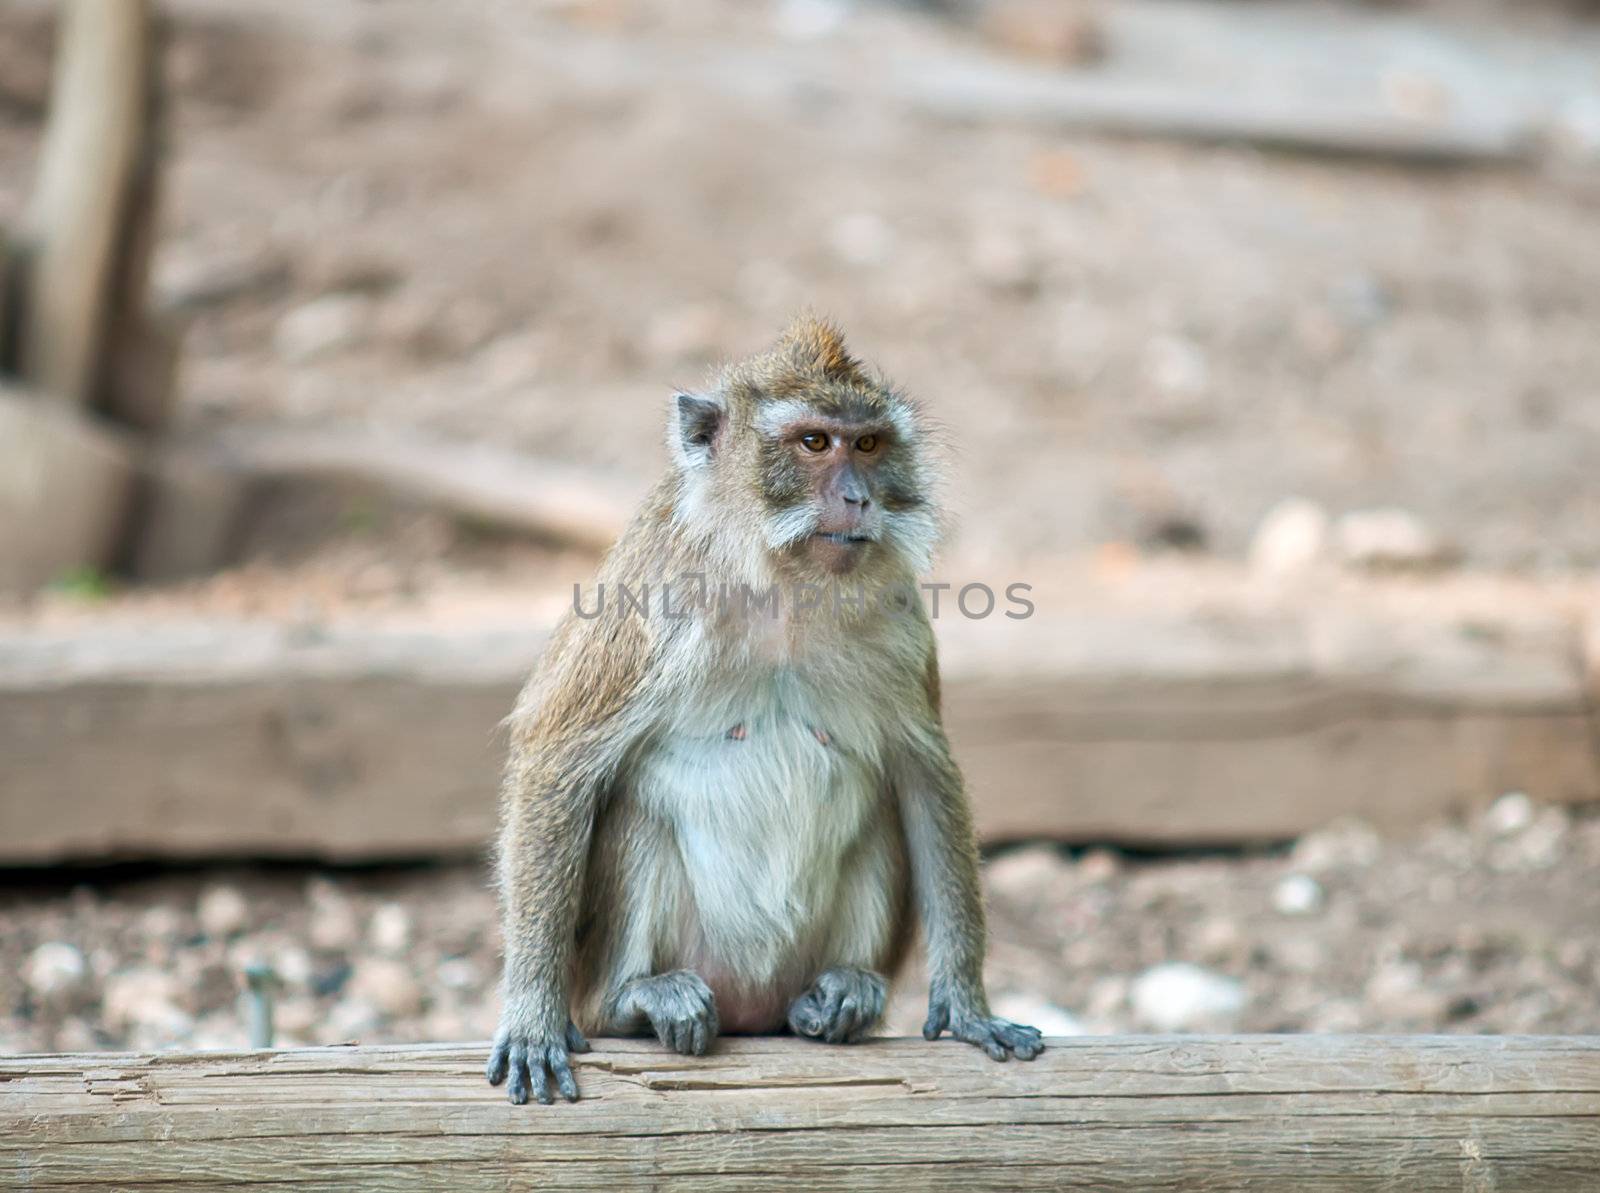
801	460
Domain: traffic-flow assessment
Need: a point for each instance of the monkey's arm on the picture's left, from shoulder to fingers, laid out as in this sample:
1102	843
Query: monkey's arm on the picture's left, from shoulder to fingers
569	741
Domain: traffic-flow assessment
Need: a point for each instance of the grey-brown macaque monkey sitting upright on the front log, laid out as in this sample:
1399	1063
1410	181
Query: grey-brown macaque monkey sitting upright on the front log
721	820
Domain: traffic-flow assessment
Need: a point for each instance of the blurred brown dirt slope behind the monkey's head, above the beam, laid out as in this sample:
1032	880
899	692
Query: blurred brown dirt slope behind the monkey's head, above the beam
494	221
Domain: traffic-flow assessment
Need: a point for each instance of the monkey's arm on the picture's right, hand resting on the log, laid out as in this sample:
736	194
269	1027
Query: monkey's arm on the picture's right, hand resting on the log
943	853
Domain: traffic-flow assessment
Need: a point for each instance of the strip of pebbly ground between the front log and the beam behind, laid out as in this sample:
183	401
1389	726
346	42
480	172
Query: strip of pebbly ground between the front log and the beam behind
1486	927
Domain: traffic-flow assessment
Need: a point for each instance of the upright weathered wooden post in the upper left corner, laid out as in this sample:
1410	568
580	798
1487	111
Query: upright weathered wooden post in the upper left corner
76	220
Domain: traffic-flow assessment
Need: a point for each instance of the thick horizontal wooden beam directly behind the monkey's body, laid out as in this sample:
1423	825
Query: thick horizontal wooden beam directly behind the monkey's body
378	738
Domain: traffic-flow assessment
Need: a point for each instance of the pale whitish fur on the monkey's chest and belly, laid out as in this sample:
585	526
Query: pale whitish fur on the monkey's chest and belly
769	775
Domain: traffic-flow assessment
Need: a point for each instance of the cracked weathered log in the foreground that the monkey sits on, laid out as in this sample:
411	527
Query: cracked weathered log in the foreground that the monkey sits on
1199	1114
